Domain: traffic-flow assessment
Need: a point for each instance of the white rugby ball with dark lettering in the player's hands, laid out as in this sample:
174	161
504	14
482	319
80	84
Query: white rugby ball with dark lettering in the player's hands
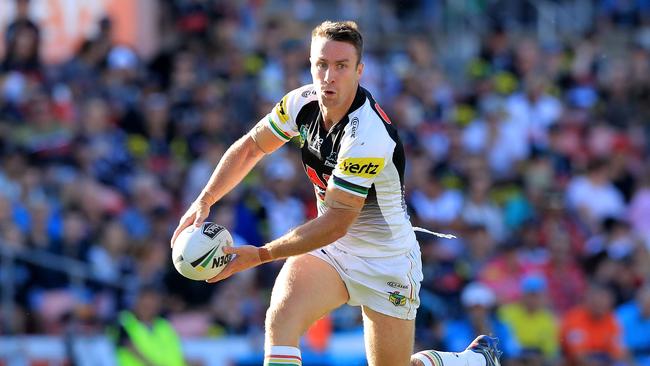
198	251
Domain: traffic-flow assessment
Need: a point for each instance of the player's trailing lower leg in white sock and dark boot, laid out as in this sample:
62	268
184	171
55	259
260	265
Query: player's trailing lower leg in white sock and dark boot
483	351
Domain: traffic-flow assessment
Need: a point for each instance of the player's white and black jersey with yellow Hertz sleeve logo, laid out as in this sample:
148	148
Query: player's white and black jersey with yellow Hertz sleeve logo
362	155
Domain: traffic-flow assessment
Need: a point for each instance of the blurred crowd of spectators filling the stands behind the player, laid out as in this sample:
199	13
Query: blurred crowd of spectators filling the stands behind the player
533	151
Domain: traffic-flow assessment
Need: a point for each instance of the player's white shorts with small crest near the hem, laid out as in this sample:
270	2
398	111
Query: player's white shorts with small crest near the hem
389	285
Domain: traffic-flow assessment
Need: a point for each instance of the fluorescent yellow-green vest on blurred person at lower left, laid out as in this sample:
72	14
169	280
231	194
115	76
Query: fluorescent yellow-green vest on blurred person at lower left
159	344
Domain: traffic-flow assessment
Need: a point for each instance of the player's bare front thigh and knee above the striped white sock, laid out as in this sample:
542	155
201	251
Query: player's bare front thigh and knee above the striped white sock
306	289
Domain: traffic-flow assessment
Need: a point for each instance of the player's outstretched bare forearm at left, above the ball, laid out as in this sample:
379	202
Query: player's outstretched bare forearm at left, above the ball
235	164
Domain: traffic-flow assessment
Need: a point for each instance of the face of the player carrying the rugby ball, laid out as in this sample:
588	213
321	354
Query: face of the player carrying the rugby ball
335	70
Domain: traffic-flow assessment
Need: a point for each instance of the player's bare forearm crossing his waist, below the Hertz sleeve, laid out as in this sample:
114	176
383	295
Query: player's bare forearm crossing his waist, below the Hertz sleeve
311	235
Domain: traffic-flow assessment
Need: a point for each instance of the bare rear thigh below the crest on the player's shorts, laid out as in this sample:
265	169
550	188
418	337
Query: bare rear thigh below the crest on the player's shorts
389	340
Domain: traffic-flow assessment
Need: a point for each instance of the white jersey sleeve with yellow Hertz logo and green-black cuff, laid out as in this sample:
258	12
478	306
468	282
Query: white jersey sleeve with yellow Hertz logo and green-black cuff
360	160
